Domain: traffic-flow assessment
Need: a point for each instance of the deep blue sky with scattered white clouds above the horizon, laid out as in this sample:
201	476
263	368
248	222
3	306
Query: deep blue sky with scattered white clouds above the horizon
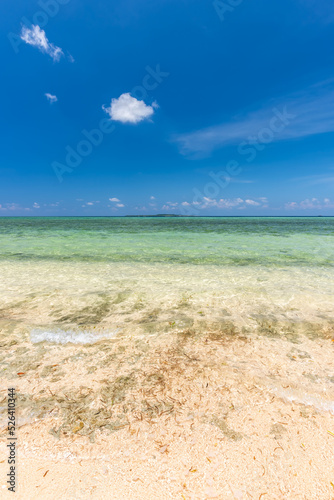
188	107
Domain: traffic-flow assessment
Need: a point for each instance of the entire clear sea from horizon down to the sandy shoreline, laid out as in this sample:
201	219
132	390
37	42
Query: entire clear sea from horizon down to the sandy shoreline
62	275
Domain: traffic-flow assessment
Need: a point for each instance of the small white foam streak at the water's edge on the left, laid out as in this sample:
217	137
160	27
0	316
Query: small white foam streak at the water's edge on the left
68	336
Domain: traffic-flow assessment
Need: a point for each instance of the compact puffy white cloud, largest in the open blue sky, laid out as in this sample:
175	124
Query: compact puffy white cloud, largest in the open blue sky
128	109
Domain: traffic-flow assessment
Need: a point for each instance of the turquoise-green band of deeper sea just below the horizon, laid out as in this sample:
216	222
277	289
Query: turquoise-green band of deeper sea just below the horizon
245	241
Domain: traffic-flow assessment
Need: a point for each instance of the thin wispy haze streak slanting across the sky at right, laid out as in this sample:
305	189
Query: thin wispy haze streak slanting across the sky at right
302	114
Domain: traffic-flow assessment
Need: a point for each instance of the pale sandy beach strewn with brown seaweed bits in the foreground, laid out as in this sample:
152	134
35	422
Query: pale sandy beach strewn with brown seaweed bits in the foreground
218	414
